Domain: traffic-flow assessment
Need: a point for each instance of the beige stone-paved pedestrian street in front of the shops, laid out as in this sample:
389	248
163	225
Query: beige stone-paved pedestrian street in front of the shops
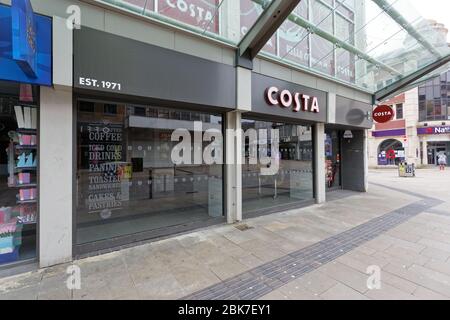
401	226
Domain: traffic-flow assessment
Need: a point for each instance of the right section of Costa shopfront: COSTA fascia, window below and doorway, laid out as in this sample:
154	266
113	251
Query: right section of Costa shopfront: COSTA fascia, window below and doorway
320	134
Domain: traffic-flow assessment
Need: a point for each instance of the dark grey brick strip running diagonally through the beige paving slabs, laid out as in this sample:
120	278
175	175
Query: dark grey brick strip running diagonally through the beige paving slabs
262	280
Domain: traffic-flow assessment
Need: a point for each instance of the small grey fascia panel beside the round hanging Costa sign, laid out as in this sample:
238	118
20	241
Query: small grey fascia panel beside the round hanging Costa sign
353	113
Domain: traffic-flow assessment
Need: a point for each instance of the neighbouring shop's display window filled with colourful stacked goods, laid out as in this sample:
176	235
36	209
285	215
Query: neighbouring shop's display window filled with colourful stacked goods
18	173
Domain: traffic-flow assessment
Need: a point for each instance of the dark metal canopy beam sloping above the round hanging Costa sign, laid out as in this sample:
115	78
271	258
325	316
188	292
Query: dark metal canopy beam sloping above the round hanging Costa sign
398	86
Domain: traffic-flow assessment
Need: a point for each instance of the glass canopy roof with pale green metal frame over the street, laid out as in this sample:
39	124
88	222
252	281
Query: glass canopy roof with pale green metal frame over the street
370	44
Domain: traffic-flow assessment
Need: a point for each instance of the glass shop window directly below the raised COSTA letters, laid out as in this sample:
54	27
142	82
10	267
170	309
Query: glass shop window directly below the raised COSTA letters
292	182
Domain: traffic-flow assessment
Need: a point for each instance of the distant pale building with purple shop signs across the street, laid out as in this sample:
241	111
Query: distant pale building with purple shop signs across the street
420	130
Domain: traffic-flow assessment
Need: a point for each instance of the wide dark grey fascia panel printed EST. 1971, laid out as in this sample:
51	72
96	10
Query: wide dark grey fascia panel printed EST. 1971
152	72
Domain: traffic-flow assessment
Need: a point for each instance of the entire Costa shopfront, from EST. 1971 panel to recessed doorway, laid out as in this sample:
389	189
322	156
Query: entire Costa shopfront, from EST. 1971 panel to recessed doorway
129	99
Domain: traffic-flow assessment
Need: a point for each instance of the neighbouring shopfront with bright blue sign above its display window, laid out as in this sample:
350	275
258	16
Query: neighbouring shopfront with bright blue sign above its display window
25	65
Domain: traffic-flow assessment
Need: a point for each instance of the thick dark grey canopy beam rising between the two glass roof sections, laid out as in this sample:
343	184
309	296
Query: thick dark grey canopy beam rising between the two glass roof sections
268	23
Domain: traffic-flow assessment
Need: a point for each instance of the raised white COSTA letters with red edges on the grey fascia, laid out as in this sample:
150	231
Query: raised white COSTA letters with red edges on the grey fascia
295	100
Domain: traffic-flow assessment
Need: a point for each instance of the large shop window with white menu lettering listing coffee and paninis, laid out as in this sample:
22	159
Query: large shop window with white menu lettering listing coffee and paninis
128	182
